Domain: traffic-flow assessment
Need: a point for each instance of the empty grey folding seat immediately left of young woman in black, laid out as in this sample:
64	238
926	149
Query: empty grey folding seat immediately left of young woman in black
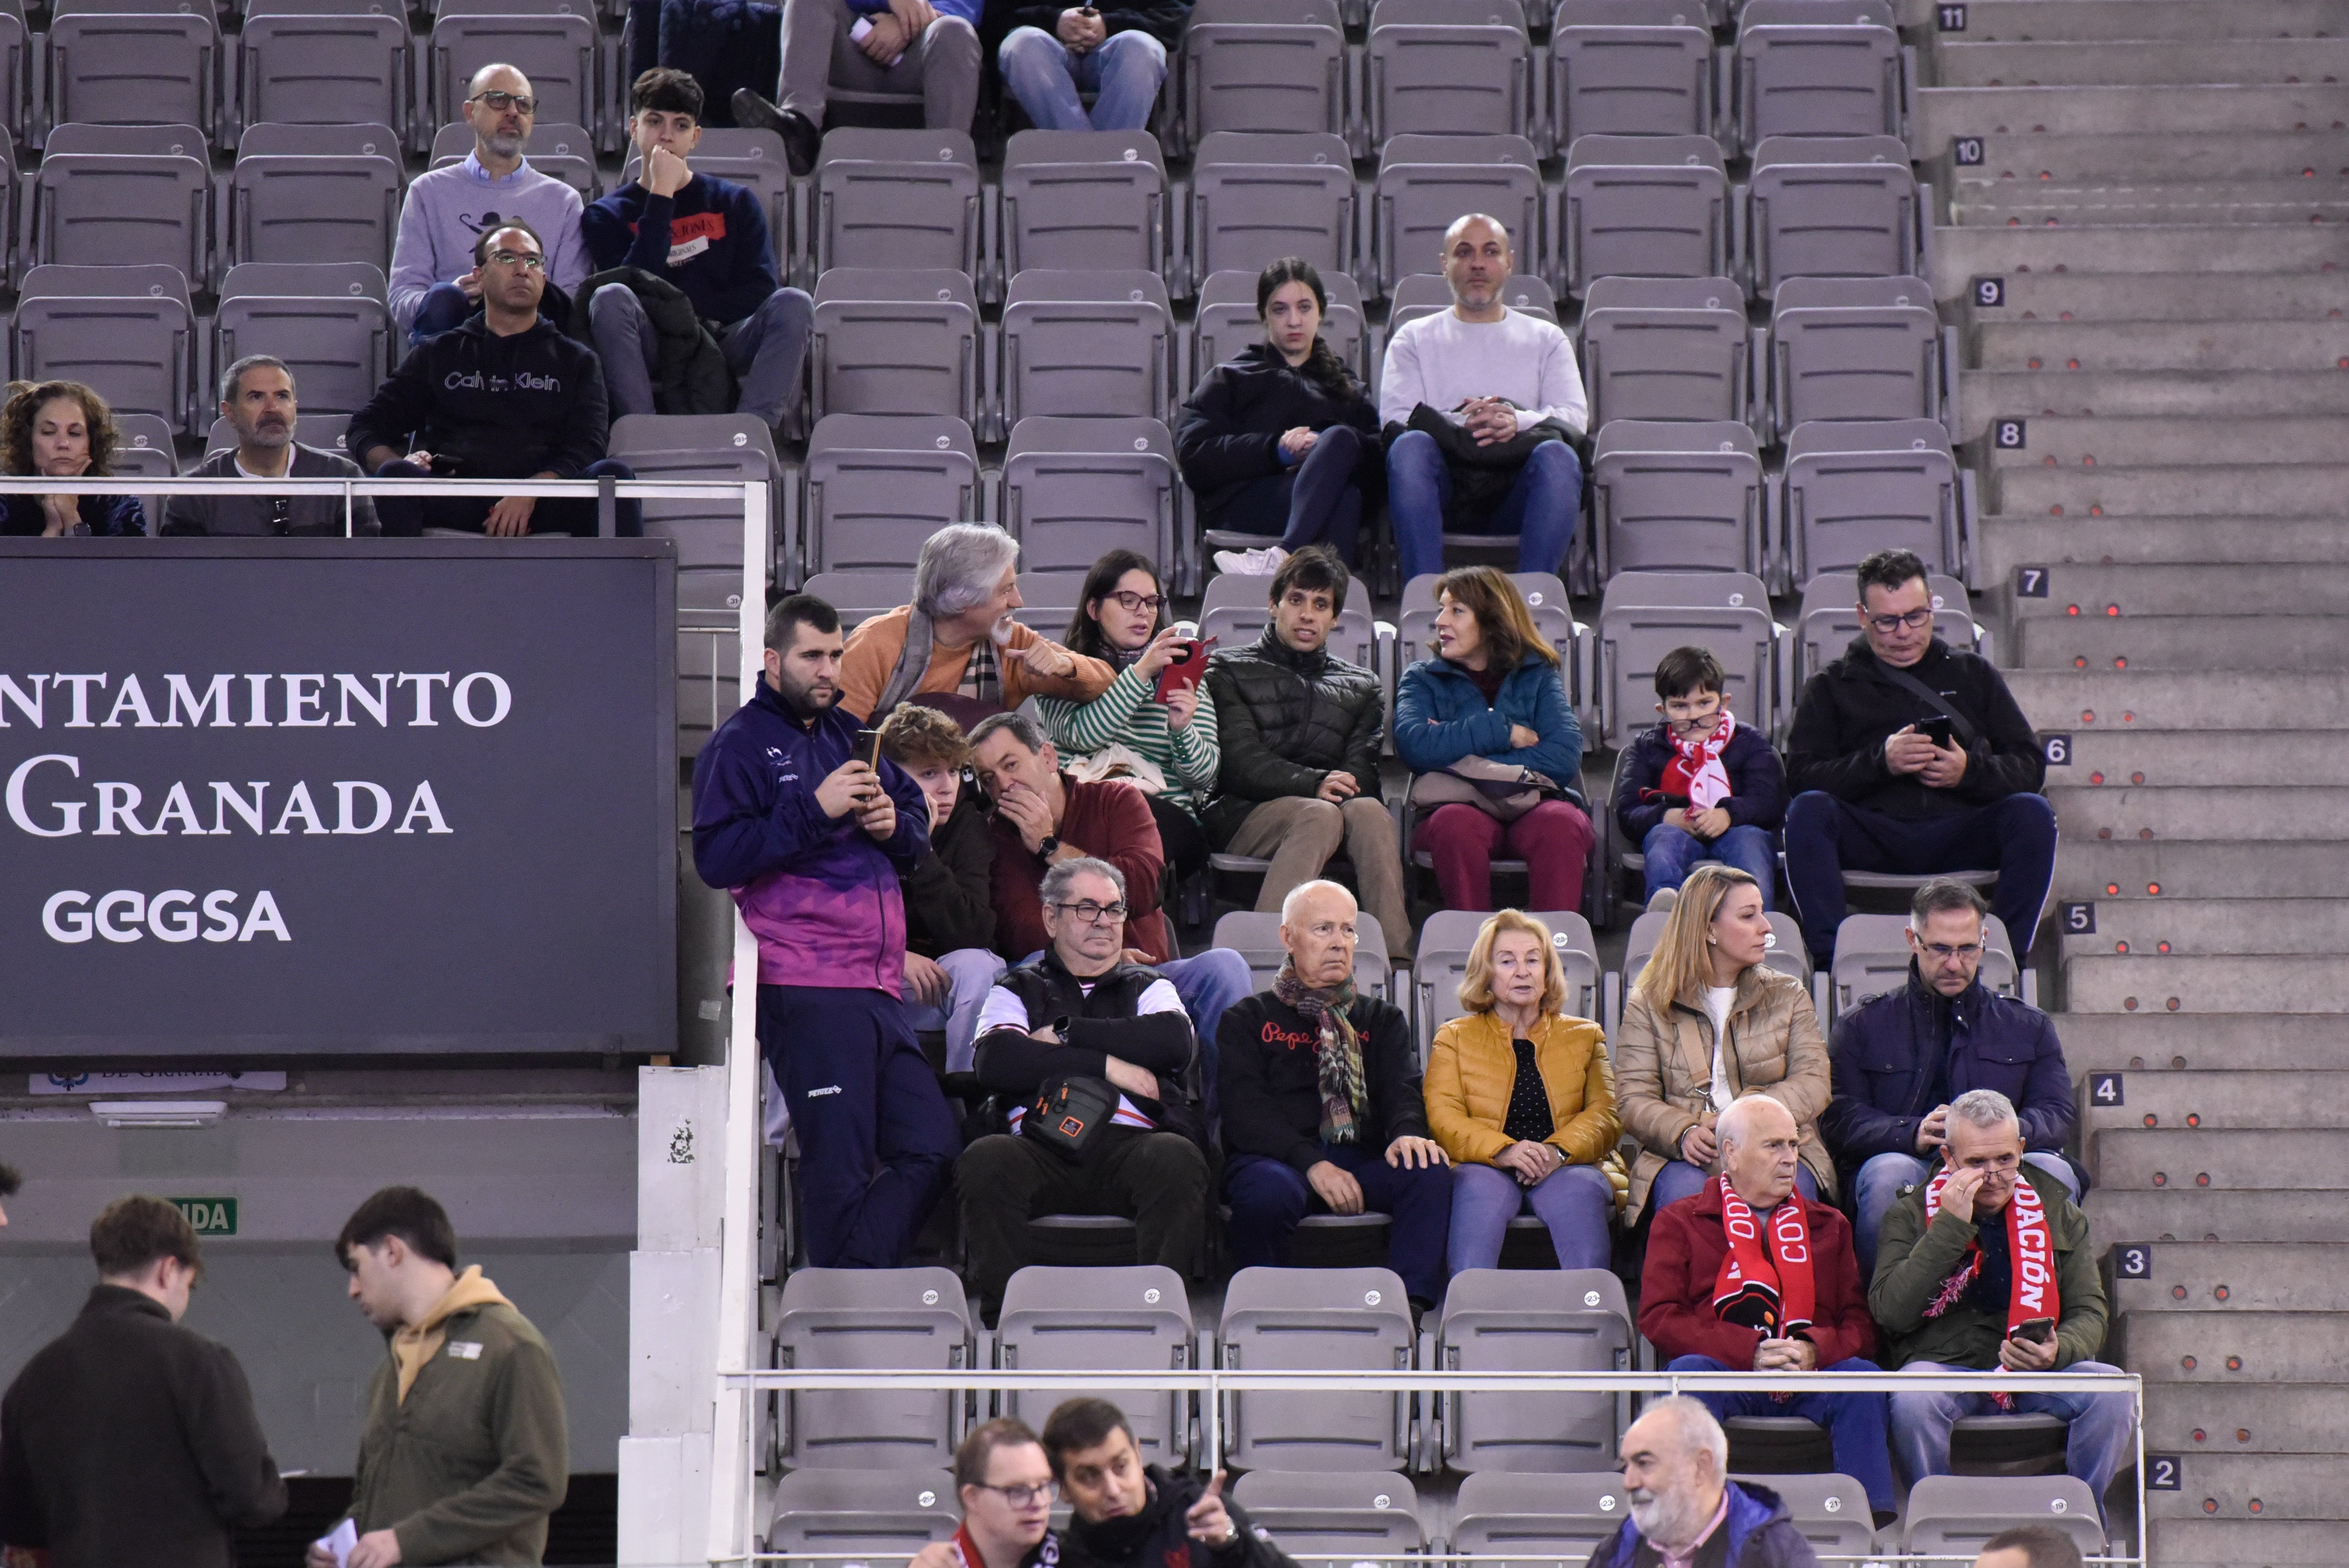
1079	487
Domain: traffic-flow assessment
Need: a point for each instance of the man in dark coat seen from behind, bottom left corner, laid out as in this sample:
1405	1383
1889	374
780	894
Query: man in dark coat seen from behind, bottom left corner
130	1442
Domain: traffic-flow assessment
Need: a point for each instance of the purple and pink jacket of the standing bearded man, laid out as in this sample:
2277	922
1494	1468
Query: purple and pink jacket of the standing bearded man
819	895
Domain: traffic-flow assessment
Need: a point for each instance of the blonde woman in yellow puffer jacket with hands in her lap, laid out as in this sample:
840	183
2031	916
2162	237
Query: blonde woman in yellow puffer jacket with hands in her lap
1523	1102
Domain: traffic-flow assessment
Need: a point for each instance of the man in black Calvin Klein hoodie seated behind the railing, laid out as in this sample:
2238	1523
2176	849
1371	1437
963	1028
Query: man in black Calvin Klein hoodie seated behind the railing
506	396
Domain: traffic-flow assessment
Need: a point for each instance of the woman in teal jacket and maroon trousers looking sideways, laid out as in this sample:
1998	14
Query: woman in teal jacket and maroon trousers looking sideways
1488	710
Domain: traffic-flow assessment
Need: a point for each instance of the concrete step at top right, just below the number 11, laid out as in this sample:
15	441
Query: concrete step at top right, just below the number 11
2141	62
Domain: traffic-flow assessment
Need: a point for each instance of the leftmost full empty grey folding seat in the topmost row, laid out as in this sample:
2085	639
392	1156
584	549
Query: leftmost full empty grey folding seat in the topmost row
126	62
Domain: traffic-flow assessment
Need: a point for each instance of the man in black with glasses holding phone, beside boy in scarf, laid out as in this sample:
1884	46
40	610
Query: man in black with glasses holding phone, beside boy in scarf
1911	757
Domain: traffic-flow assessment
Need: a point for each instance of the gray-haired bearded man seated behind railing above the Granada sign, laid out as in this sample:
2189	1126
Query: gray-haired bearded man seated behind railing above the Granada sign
257	400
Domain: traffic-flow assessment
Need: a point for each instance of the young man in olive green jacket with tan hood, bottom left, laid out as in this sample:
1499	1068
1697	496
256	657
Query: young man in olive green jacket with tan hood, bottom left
464	1452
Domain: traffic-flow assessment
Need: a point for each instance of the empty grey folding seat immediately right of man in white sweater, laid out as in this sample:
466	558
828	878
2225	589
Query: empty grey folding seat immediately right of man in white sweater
1678	496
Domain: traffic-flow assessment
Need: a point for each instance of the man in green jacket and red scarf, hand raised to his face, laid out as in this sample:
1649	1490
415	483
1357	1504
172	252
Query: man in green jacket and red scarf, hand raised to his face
1988	1266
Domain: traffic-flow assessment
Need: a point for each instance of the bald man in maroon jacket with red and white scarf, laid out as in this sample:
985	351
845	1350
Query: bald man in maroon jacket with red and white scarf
1751	1276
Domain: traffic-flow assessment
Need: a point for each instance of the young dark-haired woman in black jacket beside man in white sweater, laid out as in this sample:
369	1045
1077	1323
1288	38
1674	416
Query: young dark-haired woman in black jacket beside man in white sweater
1281	440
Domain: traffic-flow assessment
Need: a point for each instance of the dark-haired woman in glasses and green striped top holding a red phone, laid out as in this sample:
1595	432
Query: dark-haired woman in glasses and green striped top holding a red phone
1169	748
